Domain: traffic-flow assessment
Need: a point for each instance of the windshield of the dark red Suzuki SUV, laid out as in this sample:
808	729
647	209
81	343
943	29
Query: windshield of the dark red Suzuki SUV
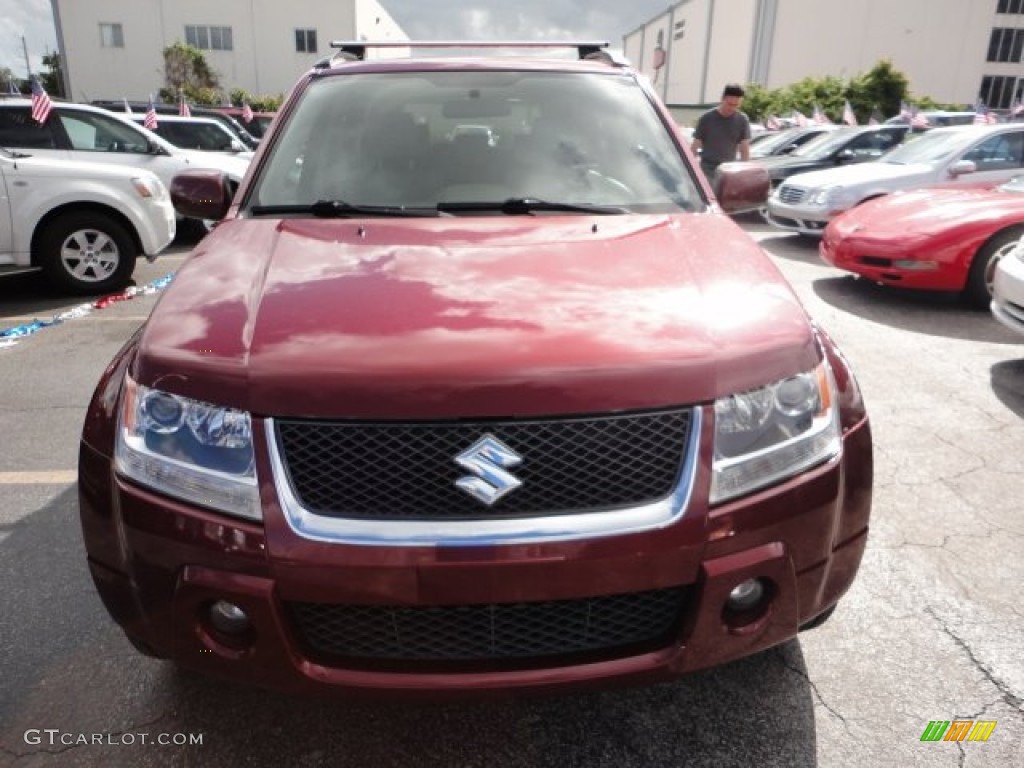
419	140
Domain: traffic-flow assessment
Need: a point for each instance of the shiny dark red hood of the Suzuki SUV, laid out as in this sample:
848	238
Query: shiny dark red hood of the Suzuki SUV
474	317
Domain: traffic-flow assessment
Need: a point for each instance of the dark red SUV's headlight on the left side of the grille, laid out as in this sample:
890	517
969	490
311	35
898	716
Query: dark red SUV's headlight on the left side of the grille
188	450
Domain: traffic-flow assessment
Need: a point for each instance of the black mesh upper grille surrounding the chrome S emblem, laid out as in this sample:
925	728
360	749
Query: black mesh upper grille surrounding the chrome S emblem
408	472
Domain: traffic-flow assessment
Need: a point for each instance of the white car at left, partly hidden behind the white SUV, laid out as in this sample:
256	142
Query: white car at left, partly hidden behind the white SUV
94	135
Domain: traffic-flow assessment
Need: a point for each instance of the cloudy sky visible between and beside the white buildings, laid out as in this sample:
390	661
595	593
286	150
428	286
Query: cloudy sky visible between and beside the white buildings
422	20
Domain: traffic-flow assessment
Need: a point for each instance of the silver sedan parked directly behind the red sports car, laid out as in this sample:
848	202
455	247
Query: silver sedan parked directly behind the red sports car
956	156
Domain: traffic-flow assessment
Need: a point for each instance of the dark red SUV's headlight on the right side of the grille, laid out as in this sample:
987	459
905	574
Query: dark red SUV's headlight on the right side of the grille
769	435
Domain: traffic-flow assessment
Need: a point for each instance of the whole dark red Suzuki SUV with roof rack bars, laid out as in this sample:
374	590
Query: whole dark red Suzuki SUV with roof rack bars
475	389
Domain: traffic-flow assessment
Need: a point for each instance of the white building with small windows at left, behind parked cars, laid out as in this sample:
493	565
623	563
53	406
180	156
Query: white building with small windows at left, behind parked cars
114	49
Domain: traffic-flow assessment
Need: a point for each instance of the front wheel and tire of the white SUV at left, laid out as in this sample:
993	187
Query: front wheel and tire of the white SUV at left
88	254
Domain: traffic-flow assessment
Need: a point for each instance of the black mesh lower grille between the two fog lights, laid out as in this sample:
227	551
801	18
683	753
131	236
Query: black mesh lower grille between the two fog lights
498	631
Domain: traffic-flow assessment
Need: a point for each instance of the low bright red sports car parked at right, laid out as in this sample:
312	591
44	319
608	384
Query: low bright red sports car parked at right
940	239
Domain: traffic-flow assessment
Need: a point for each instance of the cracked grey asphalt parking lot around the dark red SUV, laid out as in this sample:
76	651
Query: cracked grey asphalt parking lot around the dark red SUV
931	631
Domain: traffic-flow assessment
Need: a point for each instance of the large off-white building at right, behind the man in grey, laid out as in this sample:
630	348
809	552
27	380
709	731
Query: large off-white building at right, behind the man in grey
954	52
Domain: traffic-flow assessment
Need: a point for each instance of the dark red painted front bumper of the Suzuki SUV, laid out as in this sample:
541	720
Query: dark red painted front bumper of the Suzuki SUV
159	566
